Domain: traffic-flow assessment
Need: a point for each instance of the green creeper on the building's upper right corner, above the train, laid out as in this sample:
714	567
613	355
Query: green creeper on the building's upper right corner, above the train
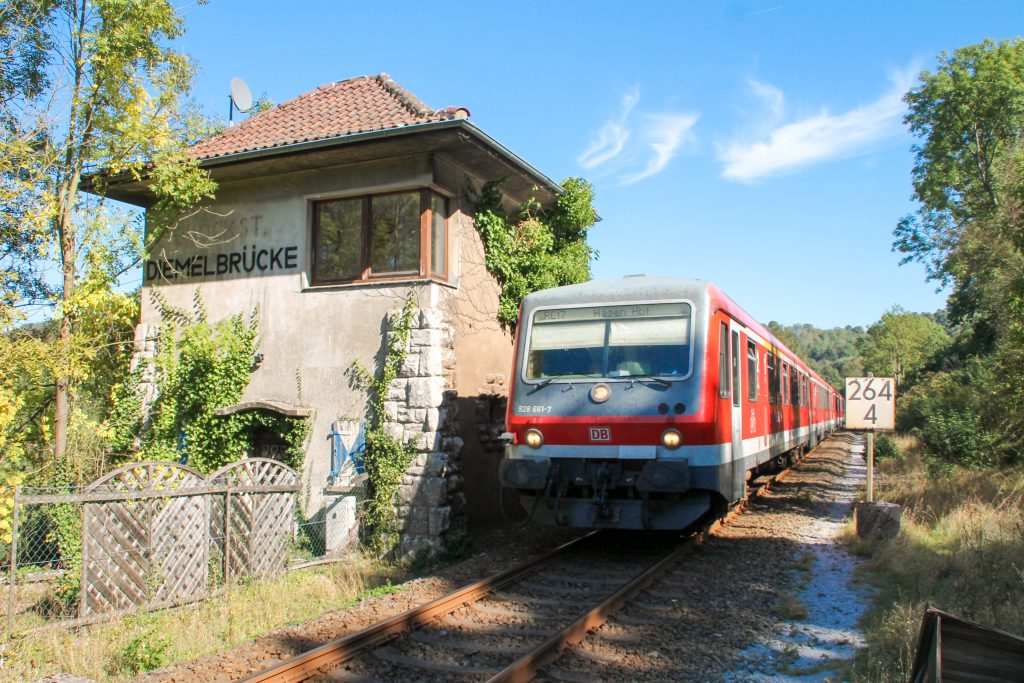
536	248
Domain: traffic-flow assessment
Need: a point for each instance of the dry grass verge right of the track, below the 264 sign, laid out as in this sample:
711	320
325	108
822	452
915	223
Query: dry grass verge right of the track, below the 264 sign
961	548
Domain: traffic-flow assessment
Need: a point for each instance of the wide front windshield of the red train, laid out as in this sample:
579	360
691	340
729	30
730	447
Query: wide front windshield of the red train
634	340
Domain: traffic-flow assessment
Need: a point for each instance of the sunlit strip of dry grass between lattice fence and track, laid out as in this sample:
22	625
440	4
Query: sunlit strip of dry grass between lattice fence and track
120	650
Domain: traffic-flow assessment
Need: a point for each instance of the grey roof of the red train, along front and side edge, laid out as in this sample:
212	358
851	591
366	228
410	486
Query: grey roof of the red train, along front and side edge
641	288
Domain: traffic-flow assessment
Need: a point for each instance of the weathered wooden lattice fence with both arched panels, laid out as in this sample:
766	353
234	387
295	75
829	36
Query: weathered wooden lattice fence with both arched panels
158	533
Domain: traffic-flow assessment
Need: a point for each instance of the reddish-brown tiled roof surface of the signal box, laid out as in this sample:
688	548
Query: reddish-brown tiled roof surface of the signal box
357	106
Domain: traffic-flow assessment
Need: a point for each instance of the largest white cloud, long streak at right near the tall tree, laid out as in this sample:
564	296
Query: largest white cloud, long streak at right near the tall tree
816	139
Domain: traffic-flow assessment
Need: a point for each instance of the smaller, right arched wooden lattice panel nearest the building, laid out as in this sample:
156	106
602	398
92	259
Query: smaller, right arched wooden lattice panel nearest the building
260	525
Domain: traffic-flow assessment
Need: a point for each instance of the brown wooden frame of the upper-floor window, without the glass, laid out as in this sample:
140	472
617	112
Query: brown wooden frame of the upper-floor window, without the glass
425	269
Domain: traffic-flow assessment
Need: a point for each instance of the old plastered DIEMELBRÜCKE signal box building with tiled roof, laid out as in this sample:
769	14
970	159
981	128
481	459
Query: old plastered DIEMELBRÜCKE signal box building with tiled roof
331	210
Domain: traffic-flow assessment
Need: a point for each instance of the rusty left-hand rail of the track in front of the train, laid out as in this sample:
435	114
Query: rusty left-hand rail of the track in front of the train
343	650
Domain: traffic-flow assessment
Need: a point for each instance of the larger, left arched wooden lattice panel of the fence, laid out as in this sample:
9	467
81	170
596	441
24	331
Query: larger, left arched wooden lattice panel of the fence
149	544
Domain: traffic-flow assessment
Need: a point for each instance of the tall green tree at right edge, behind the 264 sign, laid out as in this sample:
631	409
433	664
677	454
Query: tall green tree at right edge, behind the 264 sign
969	232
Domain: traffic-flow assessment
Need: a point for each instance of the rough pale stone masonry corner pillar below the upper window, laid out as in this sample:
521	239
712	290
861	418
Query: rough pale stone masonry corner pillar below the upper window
421	411
